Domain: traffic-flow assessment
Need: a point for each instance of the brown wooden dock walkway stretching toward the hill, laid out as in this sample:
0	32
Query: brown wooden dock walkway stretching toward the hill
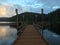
30	36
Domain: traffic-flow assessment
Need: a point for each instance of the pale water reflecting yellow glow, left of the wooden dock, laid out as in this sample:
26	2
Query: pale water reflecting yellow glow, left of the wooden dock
7	35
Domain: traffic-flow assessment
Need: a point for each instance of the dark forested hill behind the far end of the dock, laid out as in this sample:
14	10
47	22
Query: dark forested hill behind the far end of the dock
28	17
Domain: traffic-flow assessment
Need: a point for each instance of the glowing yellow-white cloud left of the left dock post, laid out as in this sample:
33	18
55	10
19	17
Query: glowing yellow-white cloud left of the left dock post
7	10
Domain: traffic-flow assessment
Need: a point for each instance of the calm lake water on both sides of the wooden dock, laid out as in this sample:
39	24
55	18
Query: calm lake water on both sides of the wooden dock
8	35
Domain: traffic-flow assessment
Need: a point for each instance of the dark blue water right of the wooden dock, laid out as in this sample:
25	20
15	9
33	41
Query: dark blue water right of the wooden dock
52	38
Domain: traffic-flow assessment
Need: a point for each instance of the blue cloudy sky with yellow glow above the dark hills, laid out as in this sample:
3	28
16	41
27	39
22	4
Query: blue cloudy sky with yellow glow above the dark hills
7	7
